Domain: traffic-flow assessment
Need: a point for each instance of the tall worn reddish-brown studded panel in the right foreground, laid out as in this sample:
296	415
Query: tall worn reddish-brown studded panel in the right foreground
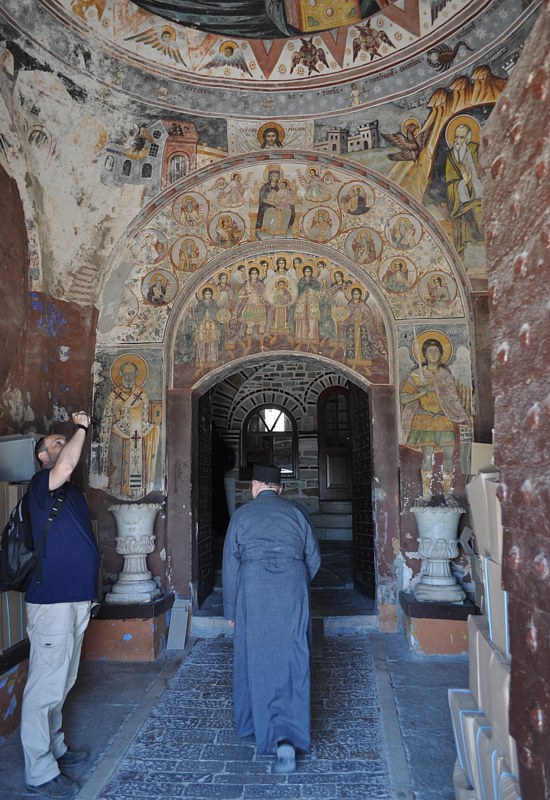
516	189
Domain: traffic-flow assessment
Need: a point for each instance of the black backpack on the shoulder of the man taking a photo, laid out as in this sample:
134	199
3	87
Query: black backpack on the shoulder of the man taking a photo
19	559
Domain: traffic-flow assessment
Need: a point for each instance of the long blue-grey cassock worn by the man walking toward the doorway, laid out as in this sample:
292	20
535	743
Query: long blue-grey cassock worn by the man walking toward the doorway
270	556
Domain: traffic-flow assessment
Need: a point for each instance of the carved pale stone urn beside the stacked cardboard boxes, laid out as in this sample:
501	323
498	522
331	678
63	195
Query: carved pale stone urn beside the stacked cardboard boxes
437	545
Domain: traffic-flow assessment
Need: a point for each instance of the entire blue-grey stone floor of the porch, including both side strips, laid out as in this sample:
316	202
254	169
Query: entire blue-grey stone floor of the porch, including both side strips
380	727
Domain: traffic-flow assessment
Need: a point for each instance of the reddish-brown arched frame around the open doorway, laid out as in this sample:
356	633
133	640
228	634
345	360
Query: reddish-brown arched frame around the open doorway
184	462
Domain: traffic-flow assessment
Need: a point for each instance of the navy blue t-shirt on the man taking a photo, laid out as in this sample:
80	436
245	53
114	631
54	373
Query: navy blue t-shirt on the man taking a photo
70	560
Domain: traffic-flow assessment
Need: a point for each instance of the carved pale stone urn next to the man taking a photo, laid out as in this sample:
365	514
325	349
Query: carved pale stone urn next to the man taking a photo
135	540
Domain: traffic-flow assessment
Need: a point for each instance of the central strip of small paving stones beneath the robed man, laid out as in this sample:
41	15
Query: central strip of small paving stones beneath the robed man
187	749
